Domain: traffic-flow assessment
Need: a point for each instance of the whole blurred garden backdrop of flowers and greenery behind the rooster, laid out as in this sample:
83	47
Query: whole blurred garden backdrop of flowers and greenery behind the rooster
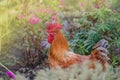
23	37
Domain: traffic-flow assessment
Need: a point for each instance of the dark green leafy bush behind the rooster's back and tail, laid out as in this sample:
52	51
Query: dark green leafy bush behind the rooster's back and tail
93	26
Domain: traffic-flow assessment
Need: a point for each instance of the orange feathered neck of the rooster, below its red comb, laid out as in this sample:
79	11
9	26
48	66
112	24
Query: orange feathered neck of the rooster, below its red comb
59	45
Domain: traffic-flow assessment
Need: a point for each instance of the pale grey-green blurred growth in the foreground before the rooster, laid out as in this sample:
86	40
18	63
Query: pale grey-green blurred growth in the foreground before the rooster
76	72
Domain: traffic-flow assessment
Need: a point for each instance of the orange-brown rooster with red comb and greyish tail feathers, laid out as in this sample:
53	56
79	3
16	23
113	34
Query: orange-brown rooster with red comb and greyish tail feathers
59	54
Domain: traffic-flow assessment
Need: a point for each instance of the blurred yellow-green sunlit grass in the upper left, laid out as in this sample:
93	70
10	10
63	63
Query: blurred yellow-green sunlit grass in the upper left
11	26
